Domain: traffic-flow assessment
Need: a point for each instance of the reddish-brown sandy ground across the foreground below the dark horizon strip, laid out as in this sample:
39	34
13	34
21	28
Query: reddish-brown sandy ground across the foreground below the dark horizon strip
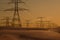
31	35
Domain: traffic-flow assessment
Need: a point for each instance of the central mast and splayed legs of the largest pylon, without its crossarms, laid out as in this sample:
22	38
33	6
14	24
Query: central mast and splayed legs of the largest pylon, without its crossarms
16	16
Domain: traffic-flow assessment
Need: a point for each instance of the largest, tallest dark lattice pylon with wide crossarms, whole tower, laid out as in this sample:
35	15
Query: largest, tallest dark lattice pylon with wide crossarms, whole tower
16	17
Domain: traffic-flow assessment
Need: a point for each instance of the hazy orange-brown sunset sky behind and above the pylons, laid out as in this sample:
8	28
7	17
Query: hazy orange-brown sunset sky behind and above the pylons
49	9
